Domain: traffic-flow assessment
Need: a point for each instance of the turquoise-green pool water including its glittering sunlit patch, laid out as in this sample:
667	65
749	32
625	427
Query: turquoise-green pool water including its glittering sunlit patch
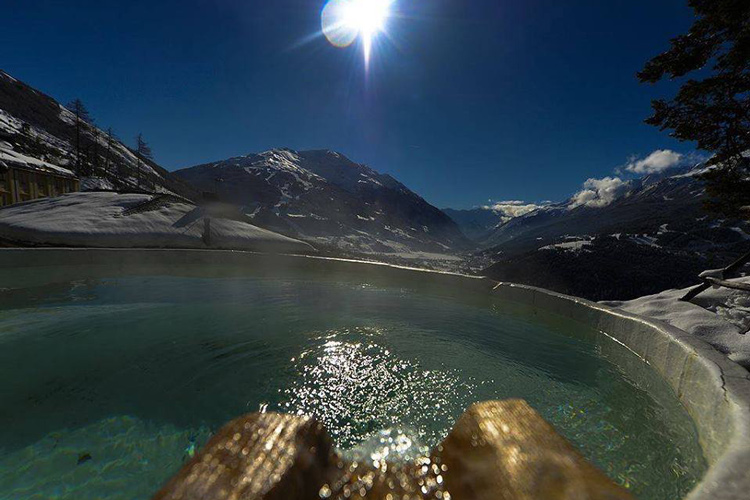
108	384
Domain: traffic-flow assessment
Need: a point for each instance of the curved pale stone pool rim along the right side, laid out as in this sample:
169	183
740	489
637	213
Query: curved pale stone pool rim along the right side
714	389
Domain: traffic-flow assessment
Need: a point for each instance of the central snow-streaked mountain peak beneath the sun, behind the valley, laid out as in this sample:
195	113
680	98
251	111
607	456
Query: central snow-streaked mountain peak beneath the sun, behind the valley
327	199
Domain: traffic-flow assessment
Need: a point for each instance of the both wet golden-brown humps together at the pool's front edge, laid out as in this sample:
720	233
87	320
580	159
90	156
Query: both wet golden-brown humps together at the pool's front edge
498	450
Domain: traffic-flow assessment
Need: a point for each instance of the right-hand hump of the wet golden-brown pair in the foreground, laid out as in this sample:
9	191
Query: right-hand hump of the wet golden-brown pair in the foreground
504	450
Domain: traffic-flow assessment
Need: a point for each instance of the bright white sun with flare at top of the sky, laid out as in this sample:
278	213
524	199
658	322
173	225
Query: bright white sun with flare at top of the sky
345	20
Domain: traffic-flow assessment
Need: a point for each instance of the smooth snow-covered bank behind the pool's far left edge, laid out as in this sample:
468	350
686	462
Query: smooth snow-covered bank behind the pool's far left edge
109	219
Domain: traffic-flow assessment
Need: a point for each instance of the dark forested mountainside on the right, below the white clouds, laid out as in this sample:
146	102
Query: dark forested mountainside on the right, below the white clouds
654	235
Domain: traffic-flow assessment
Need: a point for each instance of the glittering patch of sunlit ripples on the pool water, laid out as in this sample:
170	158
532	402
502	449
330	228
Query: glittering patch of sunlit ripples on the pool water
357	386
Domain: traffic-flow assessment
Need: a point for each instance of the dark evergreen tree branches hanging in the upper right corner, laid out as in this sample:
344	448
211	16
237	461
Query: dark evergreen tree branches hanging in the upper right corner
713	108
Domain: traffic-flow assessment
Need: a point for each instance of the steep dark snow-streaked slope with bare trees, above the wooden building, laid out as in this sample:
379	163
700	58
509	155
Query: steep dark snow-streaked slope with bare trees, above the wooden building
37	130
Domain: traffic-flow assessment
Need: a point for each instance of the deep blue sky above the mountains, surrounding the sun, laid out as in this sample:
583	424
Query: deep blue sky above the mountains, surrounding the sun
469	100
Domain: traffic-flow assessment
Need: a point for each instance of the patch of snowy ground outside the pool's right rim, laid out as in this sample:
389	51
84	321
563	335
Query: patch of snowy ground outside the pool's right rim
720	316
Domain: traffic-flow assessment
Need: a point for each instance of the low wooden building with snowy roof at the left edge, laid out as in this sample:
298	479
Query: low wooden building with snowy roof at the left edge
23	181
